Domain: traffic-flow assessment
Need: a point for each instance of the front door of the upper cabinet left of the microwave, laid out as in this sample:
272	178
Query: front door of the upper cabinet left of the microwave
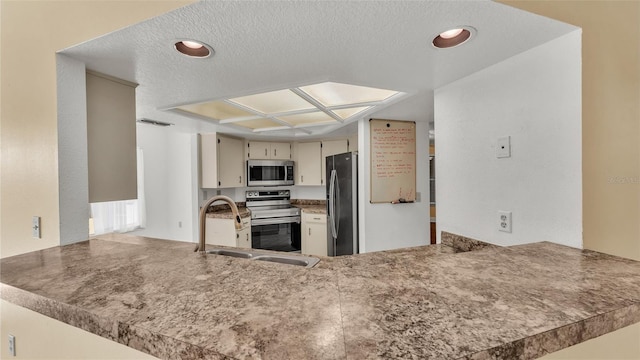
230	164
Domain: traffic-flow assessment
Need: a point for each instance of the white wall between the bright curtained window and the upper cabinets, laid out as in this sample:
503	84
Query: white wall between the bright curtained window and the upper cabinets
170	182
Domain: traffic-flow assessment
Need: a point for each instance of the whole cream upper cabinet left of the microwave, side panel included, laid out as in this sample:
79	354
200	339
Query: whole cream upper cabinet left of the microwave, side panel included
221	161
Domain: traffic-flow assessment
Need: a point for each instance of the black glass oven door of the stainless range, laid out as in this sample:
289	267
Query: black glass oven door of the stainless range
278	234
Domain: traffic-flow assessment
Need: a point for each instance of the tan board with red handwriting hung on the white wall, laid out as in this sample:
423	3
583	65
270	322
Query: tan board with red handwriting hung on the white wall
393	161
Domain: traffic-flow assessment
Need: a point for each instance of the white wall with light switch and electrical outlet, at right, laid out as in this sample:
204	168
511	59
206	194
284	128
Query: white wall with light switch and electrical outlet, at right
535	98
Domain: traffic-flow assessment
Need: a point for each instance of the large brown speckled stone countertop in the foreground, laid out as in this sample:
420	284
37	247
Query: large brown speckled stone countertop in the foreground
430	302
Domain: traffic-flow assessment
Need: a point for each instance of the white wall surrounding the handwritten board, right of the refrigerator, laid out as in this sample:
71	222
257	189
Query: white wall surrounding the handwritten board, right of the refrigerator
389	226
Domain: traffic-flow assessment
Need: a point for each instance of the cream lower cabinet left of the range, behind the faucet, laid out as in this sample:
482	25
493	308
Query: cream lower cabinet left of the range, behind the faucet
223	232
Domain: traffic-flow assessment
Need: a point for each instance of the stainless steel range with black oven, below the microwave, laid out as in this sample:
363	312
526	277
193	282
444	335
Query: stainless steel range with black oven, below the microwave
275	224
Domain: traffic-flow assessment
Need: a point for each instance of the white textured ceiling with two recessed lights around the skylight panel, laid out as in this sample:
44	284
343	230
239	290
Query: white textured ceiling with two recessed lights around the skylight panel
269	45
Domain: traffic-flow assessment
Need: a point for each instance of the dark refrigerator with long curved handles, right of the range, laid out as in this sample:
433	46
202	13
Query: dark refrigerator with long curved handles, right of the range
342	204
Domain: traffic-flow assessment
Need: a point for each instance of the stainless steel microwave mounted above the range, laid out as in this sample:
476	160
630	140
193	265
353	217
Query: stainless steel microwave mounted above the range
269	172
